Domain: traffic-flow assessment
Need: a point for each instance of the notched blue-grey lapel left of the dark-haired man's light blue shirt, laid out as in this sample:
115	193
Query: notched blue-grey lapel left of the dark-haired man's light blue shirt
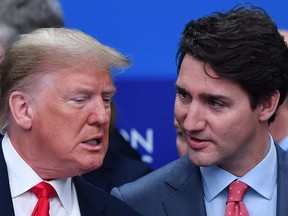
188	198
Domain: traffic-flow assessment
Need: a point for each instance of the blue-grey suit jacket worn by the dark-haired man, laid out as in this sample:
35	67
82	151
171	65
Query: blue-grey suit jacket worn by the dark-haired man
176	189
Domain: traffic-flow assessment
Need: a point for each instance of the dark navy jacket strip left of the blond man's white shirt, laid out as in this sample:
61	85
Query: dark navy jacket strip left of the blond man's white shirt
6	205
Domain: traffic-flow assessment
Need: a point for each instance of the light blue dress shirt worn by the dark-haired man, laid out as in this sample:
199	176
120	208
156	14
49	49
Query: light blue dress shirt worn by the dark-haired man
261	197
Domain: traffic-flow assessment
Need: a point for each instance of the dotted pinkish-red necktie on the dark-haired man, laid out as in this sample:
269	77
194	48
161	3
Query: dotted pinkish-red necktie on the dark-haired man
234	204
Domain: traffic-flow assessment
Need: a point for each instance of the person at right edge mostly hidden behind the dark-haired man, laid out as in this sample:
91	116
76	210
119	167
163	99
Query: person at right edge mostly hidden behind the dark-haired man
279	128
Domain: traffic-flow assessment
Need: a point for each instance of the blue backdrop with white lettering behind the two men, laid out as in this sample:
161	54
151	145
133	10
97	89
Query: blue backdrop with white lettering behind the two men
148	32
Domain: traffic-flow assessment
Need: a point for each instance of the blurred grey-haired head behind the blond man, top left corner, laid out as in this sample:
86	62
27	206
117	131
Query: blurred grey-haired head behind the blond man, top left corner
23	16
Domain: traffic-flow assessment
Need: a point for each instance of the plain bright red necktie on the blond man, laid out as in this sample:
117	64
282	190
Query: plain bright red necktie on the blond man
43	191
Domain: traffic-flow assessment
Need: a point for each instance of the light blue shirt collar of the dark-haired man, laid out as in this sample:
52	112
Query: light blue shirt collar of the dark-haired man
261	178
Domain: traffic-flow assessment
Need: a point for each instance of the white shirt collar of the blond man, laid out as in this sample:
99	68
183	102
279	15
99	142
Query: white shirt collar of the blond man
22	177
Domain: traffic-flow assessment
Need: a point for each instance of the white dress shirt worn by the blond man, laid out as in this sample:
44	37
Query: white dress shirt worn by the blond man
22	178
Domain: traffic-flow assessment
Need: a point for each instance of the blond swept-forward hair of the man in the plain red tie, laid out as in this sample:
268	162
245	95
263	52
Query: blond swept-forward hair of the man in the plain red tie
47	49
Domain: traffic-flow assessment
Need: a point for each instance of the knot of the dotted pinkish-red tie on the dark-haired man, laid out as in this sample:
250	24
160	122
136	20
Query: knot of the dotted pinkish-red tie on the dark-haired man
236	191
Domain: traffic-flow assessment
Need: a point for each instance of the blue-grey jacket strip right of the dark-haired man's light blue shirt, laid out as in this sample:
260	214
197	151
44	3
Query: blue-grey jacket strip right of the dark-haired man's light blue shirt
282	182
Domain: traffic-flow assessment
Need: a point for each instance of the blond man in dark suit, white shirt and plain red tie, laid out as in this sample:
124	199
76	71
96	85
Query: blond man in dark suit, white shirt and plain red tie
56	89
